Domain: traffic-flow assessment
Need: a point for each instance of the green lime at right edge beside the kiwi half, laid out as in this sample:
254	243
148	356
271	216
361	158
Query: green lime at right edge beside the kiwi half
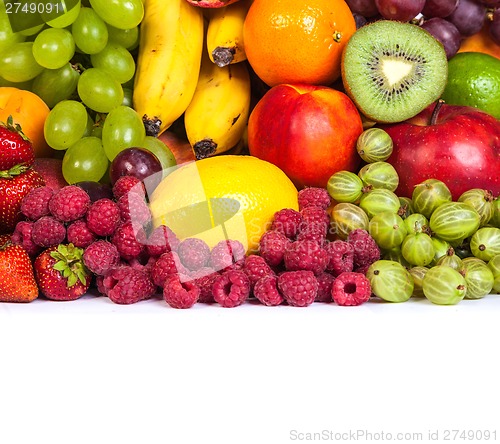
474	80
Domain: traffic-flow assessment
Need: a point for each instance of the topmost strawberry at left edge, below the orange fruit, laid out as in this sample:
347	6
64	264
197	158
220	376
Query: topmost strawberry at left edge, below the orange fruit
15	147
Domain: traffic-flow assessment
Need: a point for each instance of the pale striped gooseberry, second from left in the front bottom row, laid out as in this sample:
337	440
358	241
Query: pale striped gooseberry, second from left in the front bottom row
443	285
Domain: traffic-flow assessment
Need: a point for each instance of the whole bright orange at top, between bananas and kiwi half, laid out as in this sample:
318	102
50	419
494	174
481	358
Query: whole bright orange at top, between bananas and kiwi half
291	41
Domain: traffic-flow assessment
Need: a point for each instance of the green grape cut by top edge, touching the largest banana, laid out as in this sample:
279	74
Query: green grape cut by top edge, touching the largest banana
122	14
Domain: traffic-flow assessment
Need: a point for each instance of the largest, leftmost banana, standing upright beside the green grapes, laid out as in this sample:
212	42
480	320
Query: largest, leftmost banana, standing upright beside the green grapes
168	64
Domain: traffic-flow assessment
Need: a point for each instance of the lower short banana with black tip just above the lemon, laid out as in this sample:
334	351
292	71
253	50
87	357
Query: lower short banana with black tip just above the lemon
216	118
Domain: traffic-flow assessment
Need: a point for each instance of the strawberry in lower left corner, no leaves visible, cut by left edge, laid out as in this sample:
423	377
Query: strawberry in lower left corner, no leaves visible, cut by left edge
17	281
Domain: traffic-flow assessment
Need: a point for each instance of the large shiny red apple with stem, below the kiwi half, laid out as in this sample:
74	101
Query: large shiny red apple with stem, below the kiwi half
458	145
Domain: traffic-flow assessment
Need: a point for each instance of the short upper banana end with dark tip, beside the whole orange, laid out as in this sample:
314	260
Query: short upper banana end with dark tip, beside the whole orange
225	33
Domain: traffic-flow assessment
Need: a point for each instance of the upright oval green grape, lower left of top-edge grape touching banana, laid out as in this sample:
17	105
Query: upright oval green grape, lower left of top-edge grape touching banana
89	31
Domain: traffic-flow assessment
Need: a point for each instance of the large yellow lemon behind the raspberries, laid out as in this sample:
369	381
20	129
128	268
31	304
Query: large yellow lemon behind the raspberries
223	197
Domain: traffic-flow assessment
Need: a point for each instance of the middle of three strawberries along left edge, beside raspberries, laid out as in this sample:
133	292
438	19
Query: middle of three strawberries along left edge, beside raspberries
14	185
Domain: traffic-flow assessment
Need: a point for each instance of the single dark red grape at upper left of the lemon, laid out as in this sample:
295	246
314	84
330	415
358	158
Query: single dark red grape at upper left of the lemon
137	162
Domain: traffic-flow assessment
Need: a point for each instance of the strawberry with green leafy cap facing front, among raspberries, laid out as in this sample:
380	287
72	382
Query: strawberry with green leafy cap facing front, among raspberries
61	274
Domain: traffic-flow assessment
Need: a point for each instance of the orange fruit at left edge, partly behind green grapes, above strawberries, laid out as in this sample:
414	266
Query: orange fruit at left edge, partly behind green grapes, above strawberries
30	112
